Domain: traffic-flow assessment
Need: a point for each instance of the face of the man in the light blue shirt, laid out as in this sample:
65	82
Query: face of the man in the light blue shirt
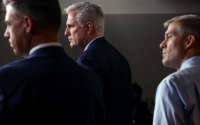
172	46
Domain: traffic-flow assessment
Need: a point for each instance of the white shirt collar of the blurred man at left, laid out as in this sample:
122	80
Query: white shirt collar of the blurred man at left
43	45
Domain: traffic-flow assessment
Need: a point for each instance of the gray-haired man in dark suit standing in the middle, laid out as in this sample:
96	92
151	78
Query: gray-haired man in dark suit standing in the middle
85	30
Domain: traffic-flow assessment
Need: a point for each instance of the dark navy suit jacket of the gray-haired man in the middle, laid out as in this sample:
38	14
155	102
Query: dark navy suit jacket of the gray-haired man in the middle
113	69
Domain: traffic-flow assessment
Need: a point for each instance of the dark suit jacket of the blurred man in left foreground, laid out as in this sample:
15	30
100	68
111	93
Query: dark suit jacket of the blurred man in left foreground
49	86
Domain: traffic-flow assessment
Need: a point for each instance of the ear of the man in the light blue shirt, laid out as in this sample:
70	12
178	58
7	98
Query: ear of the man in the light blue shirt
190	41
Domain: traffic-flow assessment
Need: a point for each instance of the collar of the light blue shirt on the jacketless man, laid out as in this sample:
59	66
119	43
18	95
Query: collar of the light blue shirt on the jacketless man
195	60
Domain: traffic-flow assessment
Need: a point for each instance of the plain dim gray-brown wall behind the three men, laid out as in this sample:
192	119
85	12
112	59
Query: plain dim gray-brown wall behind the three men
135	28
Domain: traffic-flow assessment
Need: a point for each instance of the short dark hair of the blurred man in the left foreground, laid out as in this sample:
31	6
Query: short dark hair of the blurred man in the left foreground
46	13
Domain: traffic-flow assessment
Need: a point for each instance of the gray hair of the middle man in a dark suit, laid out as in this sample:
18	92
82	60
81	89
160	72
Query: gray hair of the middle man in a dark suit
88	12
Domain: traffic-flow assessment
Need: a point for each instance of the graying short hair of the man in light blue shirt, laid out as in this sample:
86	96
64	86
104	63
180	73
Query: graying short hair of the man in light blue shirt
190	25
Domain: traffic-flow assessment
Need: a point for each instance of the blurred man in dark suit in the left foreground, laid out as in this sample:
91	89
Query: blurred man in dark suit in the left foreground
46	85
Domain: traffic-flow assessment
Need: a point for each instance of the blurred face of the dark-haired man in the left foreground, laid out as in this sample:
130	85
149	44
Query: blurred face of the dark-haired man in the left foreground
15	30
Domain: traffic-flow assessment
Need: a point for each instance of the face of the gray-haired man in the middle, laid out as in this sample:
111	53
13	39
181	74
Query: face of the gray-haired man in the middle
75	32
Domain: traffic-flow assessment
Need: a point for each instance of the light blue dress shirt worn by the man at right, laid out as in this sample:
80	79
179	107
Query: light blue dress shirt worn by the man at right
178	96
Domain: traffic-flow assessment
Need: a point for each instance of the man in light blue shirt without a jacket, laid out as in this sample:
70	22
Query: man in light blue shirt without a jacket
178	95
